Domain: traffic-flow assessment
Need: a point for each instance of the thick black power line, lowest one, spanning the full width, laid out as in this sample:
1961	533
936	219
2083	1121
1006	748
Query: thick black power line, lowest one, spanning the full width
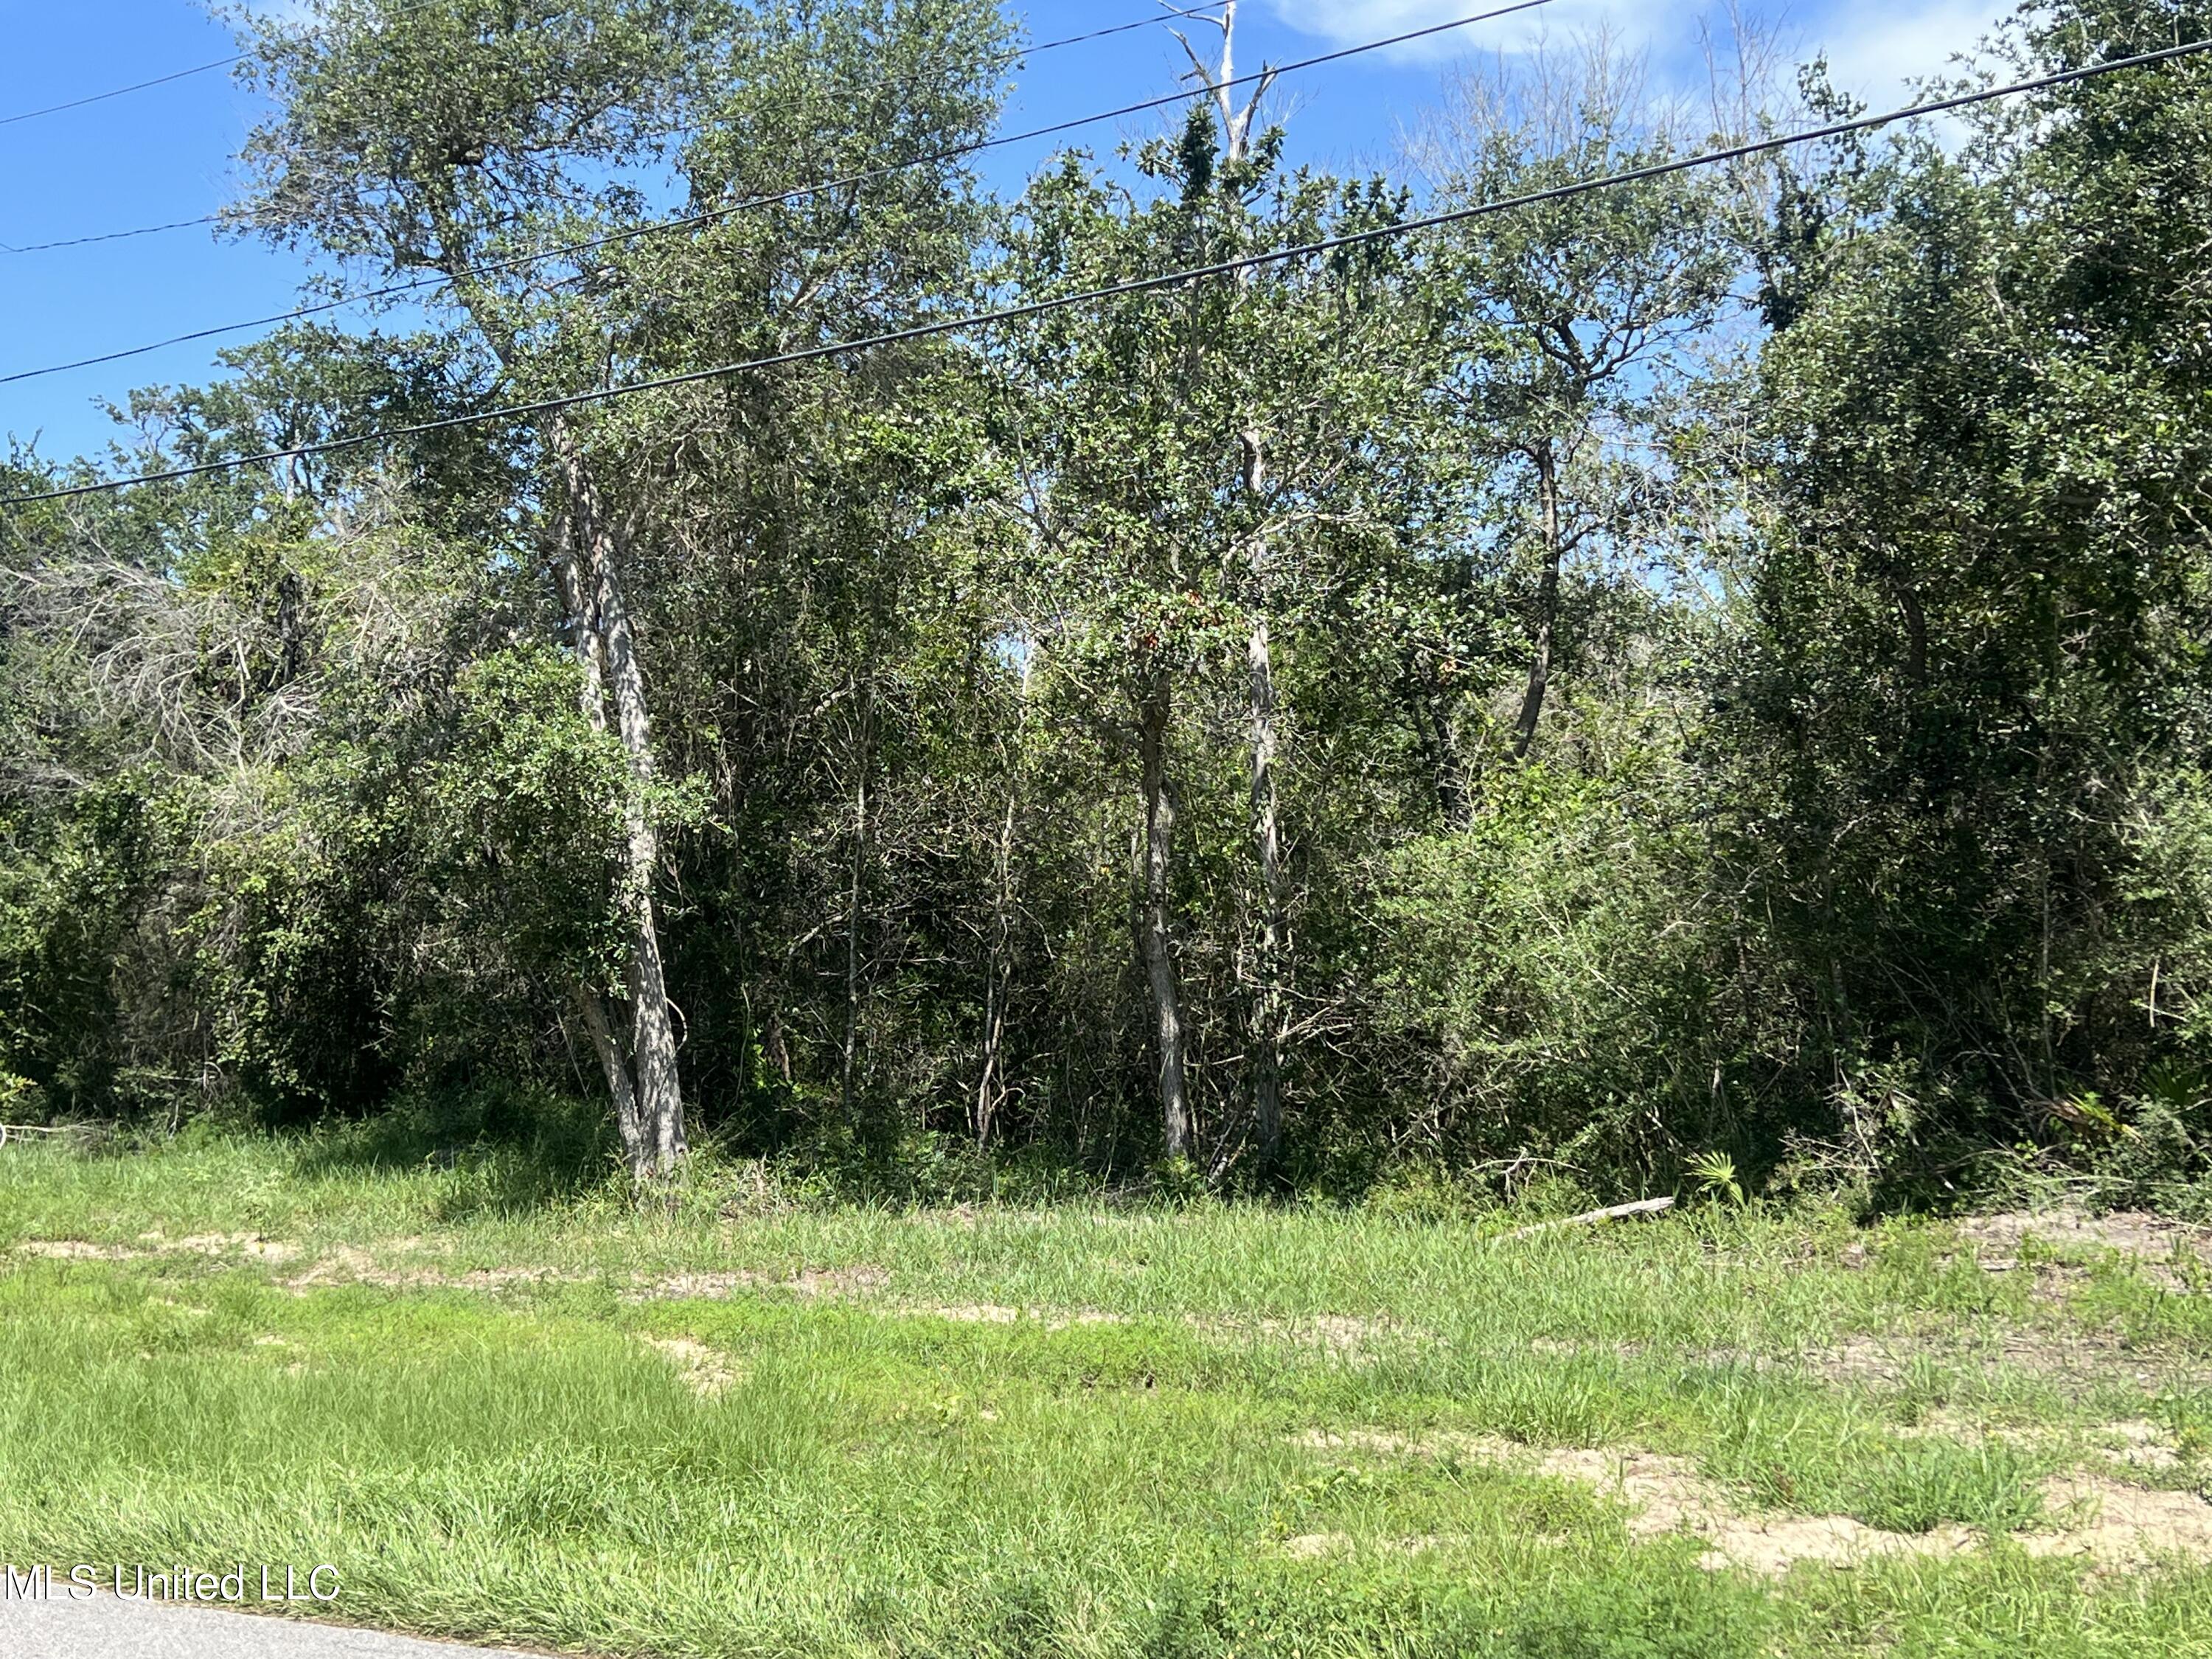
1142	284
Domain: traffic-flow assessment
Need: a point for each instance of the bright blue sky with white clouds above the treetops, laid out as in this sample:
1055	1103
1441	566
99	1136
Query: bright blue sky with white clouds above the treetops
167	154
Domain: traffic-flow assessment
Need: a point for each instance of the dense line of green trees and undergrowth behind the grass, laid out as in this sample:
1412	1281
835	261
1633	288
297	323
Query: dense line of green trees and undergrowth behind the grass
1715	665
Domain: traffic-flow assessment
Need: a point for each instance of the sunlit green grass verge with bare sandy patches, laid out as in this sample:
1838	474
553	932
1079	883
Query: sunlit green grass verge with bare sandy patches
747	1428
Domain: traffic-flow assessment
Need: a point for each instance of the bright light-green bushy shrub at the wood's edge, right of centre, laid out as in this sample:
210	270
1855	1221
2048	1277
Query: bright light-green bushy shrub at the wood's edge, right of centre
1578	1010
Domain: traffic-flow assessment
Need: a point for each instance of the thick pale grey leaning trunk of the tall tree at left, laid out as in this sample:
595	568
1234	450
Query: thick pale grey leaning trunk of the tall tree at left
592	587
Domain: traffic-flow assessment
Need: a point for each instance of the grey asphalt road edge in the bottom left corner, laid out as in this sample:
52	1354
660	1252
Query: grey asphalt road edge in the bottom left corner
107	1629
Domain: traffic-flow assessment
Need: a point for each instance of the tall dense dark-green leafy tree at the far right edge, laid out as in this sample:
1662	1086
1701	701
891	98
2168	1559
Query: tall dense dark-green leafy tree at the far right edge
1961	749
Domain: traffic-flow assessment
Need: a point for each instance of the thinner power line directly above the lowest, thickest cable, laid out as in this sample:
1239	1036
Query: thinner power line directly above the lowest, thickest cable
716	216
